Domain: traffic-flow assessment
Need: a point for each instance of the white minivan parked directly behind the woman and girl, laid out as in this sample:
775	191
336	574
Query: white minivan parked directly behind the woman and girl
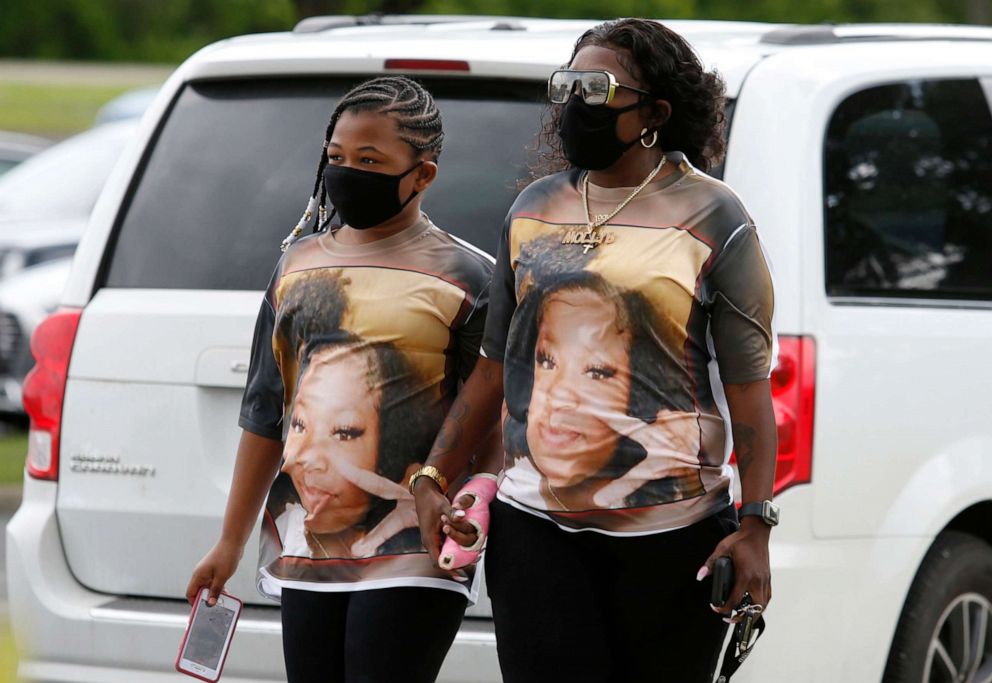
864	154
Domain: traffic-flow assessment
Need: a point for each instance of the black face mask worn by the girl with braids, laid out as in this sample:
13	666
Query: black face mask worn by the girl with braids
365	199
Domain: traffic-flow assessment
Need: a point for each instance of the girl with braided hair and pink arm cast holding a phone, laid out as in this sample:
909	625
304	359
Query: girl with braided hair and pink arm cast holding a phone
366	330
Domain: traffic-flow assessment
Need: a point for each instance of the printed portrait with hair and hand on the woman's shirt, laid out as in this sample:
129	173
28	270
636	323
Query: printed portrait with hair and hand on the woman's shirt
586	420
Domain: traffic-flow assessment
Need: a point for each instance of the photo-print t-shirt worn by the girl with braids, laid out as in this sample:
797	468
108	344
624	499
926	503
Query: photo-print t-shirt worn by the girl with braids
356	356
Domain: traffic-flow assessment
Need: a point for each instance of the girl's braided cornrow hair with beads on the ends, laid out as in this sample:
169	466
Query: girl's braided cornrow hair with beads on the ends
416	115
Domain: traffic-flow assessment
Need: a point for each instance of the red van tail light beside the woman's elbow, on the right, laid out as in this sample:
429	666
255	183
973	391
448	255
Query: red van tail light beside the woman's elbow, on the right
793	384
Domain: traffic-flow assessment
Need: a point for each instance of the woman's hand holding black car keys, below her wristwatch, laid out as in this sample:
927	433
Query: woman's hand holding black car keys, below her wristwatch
748	548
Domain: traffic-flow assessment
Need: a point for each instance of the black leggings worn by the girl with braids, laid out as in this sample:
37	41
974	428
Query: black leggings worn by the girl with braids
375	636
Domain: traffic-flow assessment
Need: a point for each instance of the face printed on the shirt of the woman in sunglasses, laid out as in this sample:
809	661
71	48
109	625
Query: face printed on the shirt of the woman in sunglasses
581	377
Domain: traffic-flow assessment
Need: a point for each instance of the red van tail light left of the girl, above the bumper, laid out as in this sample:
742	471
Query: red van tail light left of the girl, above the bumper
44	390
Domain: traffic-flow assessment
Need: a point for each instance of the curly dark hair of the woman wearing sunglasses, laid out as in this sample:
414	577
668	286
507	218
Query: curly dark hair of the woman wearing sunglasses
664	64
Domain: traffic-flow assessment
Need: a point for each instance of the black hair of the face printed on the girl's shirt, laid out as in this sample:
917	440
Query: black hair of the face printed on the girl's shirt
310	319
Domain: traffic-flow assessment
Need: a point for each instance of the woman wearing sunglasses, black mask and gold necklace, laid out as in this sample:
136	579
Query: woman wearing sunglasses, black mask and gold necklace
601	576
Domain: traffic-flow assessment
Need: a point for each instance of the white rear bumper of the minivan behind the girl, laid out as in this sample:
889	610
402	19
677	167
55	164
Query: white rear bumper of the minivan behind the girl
66	633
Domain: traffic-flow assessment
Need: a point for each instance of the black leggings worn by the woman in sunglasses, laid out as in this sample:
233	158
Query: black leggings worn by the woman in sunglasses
590	607
